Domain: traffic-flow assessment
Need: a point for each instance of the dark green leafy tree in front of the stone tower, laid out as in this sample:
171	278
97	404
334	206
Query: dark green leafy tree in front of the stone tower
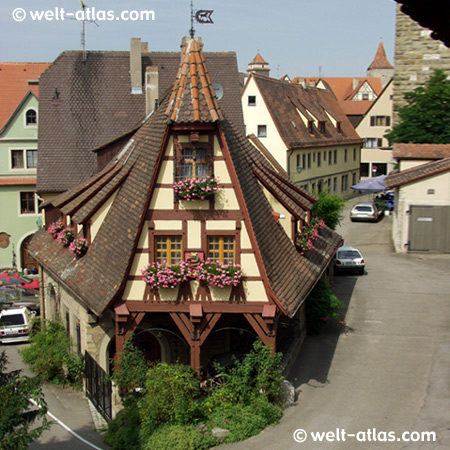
425	119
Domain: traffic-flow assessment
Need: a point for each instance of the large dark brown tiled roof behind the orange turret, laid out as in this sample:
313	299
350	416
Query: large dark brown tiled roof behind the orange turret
89	102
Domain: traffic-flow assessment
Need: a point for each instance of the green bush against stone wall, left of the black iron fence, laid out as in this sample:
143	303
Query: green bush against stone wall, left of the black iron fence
50	355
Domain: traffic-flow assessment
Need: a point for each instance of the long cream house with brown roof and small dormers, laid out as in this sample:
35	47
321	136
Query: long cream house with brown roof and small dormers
305	130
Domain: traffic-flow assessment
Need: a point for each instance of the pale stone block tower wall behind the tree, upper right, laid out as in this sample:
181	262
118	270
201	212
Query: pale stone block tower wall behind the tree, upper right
416	57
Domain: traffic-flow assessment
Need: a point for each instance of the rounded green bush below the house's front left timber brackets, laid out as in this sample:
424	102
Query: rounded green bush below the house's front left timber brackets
171	395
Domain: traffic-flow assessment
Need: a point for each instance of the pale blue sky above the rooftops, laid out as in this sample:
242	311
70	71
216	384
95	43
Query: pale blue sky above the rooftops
333	38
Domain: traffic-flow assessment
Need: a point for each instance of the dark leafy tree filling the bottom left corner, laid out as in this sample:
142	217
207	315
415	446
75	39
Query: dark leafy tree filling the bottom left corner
17	414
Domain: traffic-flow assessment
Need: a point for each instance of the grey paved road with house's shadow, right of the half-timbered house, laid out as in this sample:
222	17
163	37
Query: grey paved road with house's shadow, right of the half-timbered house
388	367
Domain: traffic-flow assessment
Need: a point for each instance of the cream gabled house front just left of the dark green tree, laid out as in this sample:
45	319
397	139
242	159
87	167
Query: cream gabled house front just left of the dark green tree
376	154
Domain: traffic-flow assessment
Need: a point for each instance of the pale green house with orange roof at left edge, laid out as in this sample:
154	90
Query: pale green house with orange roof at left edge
18	161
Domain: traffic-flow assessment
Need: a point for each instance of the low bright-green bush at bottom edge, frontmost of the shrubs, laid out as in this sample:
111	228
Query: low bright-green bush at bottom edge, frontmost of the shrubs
179	437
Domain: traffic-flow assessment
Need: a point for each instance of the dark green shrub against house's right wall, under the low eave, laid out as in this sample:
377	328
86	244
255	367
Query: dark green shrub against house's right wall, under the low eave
320	305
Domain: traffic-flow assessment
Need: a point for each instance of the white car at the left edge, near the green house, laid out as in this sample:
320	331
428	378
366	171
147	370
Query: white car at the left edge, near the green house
15	324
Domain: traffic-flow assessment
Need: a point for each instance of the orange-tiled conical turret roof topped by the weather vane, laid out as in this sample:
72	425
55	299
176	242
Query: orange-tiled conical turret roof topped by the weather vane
193	99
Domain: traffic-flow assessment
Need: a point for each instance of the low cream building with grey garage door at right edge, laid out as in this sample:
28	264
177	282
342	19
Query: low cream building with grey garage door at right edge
422	206
